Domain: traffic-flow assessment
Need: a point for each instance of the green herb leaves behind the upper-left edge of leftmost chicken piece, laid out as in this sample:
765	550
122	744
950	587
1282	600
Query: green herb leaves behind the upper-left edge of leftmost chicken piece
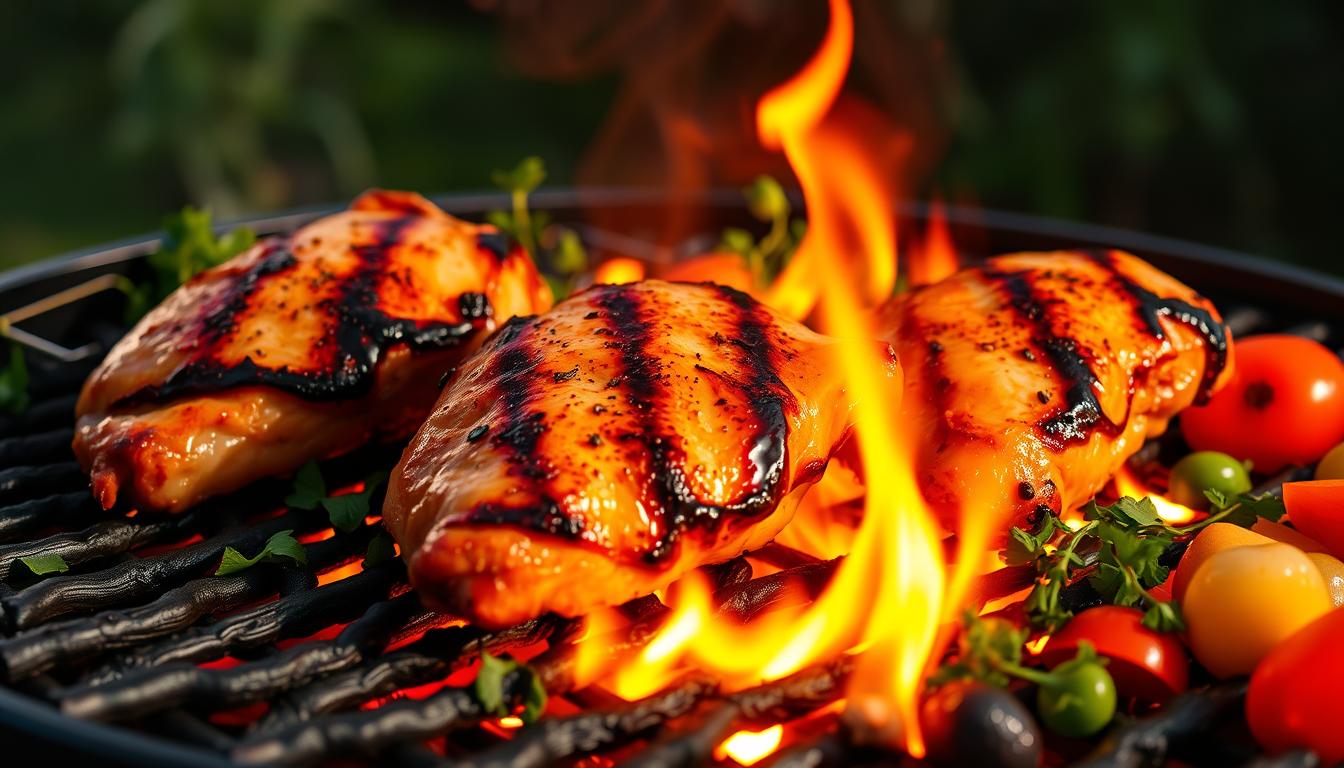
189	248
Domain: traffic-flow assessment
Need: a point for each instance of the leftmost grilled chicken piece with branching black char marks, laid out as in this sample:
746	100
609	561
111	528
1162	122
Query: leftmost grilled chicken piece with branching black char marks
303	348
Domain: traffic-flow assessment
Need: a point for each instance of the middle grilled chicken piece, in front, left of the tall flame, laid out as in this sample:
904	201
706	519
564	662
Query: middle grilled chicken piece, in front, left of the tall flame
595	454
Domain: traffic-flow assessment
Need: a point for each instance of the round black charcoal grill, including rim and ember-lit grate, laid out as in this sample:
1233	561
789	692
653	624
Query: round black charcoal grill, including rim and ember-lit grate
139	656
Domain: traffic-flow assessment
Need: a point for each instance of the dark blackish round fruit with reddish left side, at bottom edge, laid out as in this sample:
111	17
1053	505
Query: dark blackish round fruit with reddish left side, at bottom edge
976	724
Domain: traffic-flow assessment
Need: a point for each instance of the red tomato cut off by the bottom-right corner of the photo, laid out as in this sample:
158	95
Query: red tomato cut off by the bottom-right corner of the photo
1295	696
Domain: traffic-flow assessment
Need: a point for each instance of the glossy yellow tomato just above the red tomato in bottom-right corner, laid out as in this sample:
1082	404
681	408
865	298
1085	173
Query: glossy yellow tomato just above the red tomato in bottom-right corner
1244	601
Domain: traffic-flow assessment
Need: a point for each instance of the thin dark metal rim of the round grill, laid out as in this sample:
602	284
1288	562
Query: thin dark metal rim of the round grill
1280	283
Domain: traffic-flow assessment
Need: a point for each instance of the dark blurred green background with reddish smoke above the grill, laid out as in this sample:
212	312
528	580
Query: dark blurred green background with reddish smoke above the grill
1217	122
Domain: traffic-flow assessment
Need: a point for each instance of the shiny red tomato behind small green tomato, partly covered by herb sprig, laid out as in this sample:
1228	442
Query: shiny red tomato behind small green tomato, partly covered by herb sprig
1146	665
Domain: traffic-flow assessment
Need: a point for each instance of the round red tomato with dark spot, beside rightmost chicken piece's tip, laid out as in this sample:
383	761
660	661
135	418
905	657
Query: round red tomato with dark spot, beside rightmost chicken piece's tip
1283	406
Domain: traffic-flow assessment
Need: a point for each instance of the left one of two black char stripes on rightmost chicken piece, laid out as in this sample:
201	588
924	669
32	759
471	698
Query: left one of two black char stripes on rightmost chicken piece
1081	412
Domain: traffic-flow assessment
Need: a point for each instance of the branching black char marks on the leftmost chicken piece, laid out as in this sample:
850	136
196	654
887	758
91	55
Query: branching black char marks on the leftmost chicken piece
361	330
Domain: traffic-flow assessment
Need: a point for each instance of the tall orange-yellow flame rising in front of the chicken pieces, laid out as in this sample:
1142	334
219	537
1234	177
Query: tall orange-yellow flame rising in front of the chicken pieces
892	598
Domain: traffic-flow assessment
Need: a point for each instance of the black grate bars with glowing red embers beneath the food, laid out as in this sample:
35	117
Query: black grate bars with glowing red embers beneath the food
300	666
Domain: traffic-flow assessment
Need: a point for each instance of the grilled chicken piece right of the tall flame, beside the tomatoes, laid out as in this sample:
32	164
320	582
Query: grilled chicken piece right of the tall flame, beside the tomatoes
1042	373
